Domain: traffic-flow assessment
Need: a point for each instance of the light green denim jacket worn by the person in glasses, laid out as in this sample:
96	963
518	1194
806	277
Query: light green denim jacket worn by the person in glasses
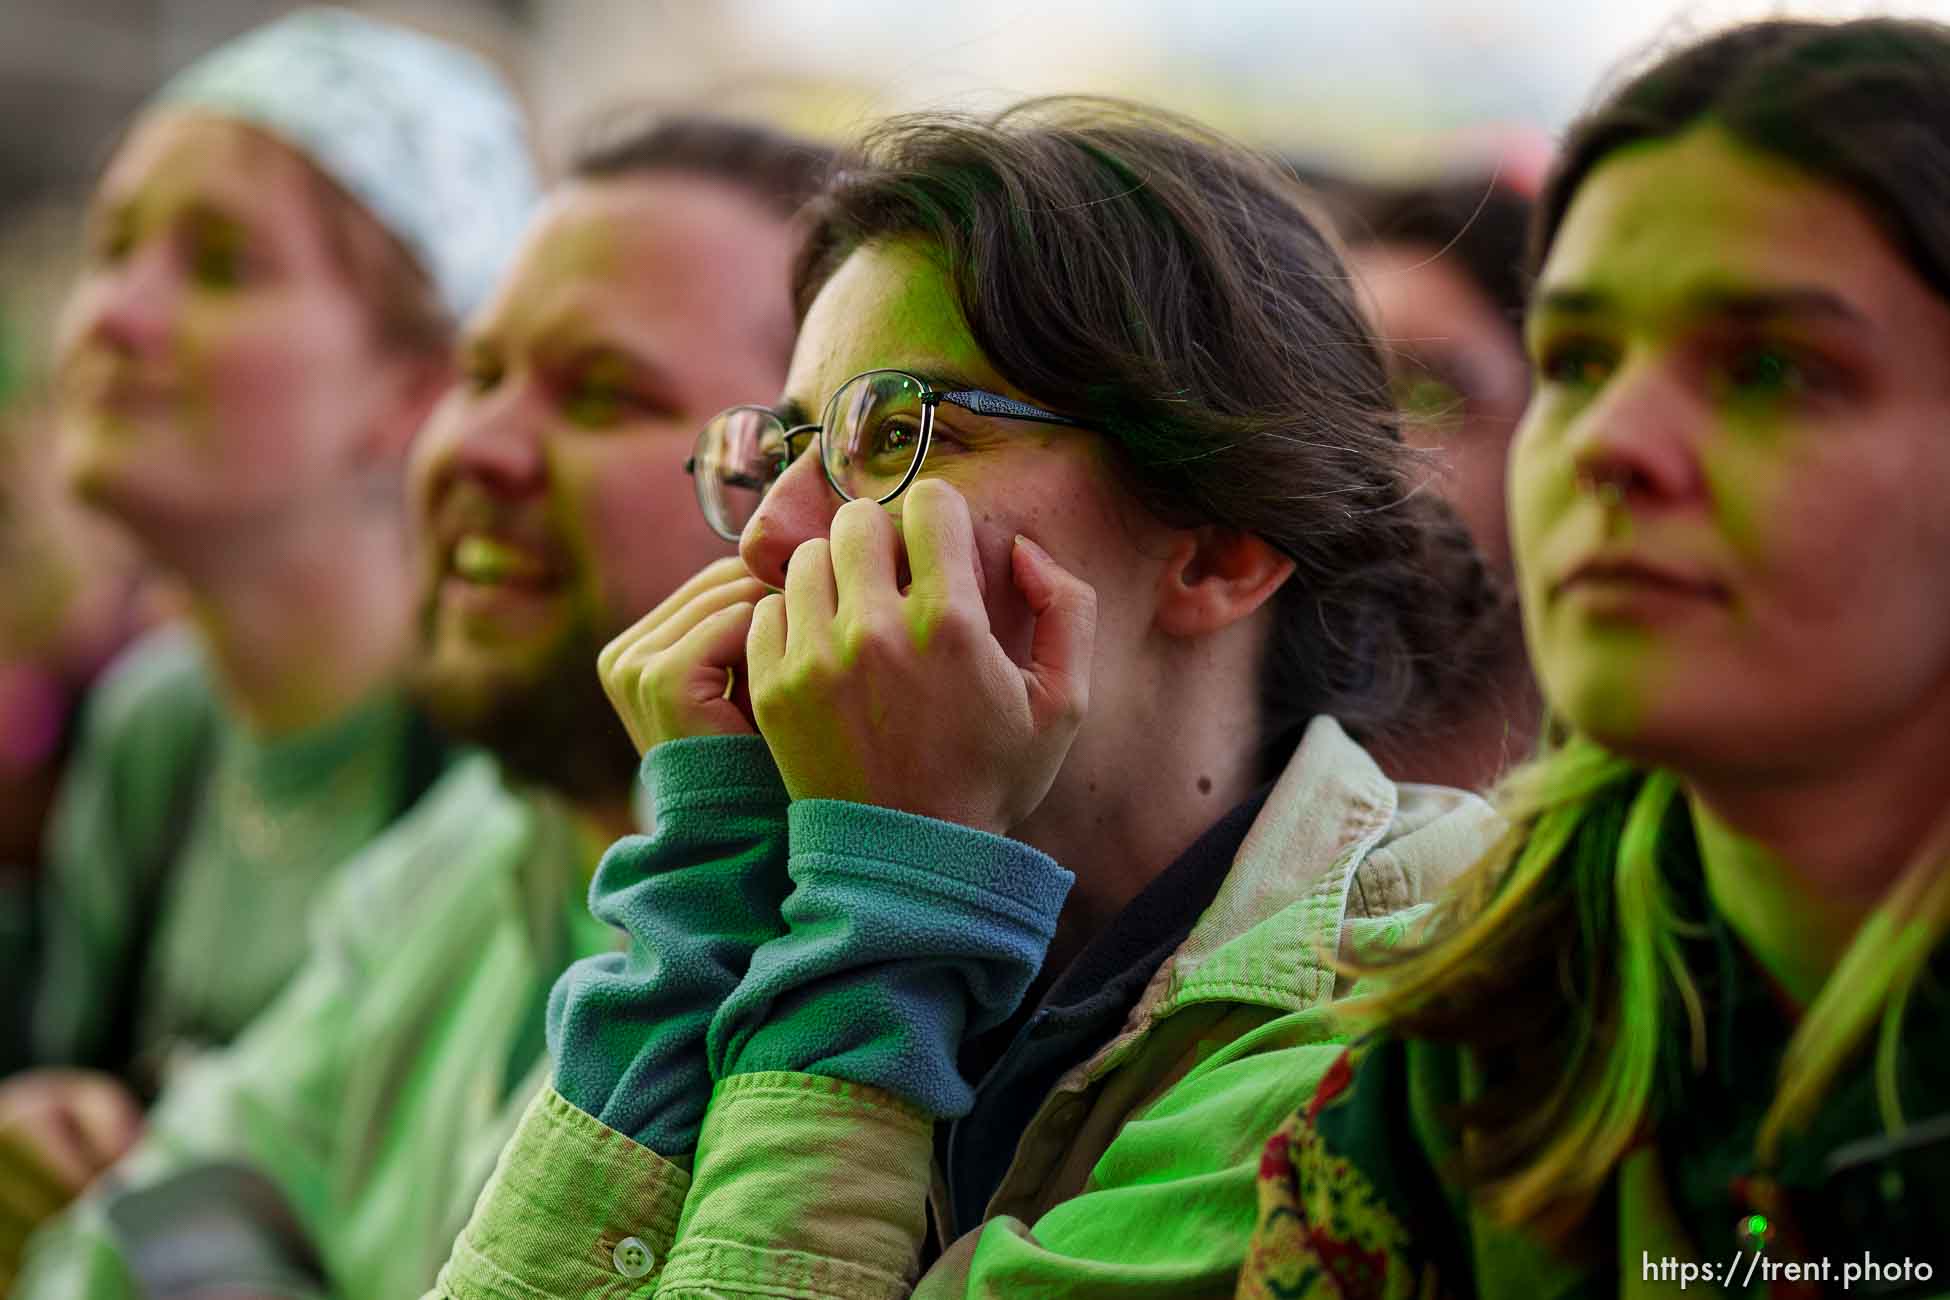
1136	1178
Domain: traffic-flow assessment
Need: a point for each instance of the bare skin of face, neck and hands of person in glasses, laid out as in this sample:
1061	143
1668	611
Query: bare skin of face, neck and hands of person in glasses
947	679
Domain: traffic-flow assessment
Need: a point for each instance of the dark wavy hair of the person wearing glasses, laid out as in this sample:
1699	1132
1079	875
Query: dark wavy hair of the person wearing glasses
1173	291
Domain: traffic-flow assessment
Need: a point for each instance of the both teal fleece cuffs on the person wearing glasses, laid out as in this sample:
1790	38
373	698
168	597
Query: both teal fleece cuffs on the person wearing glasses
828	938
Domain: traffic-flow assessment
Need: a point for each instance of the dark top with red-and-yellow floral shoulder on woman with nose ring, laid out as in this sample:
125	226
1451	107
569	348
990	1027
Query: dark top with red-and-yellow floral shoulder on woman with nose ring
1354	1204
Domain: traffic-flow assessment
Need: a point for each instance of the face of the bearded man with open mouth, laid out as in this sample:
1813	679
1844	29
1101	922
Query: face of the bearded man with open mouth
553	482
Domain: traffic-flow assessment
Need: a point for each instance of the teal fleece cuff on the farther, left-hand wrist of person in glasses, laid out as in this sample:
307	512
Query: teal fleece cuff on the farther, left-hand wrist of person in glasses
697	898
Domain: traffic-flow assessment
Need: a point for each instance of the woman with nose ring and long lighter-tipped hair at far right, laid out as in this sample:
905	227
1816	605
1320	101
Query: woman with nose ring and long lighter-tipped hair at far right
1690	1024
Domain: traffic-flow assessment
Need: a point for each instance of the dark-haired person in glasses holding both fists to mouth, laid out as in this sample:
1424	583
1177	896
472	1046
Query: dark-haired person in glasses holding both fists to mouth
1081	521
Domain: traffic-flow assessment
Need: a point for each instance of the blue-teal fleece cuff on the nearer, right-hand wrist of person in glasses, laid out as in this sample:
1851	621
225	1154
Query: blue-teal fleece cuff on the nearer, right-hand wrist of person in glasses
904	935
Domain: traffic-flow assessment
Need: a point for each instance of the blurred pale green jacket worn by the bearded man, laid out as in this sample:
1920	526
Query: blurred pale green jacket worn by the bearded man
379	1089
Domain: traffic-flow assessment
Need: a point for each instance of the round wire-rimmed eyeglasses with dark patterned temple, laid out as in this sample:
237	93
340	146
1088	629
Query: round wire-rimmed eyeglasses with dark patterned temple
873	438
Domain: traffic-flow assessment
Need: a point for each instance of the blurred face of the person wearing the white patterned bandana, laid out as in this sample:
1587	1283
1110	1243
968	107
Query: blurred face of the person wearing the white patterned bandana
217	367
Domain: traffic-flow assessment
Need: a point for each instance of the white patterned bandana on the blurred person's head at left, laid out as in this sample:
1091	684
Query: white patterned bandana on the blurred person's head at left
428	137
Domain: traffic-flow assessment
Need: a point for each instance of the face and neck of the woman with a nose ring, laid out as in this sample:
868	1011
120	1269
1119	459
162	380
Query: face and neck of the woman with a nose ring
1727	502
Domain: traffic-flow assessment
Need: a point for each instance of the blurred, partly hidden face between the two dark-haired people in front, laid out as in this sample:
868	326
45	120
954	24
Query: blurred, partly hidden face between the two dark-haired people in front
1460	377
